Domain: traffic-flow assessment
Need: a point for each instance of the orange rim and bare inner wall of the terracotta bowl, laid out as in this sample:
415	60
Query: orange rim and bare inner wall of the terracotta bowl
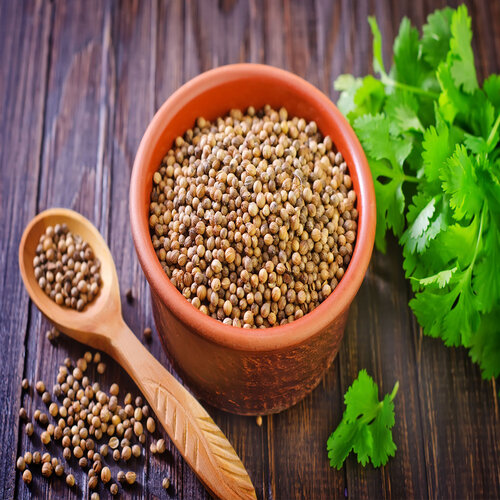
213	94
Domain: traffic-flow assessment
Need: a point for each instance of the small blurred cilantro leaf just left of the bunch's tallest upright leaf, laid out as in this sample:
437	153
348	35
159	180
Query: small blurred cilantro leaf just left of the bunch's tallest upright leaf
436	36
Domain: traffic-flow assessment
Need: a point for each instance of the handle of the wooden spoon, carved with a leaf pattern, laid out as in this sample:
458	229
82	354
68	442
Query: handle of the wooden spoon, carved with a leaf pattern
190	427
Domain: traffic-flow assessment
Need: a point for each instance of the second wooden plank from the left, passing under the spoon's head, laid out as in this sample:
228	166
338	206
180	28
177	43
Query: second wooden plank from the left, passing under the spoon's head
74	174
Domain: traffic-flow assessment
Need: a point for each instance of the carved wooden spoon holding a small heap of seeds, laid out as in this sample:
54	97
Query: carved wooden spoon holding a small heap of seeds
100	325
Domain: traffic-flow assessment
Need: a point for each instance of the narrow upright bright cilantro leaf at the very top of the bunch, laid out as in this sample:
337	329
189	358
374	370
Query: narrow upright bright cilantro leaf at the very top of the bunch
462	58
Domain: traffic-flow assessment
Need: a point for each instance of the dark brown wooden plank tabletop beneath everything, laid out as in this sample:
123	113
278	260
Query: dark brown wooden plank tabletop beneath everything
79	82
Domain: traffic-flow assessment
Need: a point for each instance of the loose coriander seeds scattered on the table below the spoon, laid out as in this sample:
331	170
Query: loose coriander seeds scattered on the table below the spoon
91	425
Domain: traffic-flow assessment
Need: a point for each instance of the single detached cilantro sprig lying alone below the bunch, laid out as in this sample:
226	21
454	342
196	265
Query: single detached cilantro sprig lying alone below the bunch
366	426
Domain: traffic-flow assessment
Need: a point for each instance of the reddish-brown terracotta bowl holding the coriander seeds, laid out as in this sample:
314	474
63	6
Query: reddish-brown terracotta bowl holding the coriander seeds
256	371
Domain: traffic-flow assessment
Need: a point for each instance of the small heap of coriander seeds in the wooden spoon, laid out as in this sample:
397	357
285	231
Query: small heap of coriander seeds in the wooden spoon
66	268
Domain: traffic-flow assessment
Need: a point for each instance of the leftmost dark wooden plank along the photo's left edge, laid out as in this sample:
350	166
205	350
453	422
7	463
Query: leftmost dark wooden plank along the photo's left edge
24	44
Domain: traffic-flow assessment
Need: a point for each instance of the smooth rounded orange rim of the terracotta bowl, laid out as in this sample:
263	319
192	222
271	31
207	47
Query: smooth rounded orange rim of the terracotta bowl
254	339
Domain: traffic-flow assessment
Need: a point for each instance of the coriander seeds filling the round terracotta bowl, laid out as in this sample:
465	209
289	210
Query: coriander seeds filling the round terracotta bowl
253	217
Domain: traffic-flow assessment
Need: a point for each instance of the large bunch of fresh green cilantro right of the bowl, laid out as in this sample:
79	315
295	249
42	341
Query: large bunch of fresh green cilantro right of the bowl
432	138
